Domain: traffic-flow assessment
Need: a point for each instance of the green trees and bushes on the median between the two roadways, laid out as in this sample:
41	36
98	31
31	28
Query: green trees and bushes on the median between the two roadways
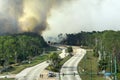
56	62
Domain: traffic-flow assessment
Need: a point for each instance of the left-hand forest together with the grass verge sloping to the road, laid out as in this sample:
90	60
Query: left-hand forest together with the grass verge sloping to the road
18	51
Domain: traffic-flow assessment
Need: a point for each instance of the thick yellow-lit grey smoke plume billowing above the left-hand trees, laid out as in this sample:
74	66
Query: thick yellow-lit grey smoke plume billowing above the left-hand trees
18	16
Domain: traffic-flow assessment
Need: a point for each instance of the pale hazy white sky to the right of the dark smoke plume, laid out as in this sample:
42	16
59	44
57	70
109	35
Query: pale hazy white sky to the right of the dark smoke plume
84	15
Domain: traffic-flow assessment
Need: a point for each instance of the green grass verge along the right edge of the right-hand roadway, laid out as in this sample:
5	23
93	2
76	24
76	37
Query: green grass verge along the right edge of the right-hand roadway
87	65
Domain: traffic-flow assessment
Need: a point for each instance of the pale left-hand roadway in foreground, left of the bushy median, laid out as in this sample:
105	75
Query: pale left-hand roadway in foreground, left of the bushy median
32	73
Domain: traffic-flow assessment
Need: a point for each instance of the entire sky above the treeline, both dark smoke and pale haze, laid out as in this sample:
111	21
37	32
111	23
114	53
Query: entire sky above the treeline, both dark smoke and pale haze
52	17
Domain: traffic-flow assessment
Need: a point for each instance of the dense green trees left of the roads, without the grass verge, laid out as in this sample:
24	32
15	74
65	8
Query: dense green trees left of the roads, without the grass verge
19	47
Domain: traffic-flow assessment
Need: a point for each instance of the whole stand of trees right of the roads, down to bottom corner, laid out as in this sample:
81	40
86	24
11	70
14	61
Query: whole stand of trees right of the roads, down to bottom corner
105	45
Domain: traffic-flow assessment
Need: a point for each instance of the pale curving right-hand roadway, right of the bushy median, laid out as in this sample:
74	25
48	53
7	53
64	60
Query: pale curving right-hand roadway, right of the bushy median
70	67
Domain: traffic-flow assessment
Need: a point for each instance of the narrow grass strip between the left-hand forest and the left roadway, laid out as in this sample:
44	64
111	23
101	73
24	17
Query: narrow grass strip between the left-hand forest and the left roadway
17	68
